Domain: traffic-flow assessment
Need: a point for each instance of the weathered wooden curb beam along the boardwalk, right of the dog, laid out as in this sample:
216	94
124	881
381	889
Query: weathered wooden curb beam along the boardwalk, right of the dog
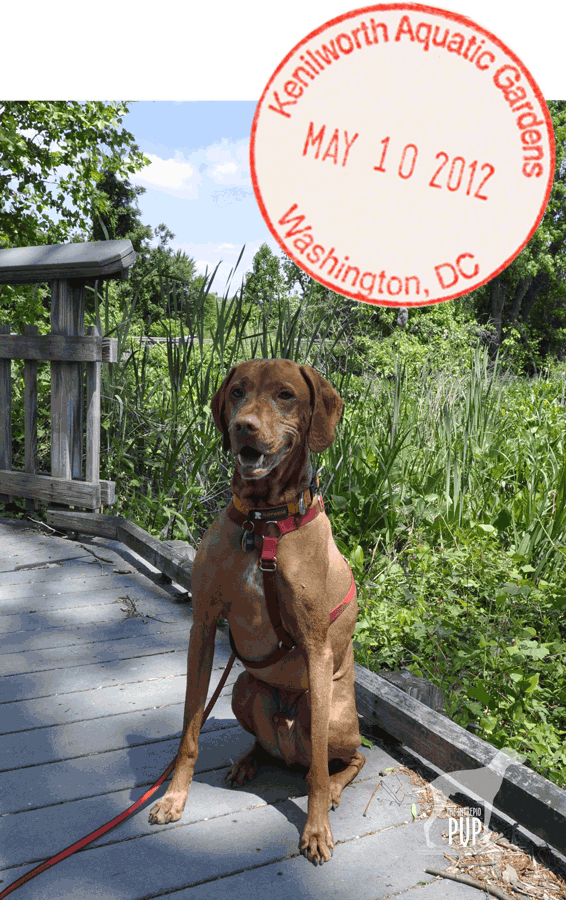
527	798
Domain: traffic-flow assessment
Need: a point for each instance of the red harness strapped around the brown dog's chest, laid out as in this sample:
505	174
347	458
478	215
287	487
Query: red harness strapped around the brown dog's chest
253	522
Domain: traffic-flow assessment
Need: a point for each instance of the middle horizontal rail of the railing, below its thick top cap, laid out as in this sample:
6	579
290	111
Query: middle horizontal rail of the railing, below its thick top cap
51	347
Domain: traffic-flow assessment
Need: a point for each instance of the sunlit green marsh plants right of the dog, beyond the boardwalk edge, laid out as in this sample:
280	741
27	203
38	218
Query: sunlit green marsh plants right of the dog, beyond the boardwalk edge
461	489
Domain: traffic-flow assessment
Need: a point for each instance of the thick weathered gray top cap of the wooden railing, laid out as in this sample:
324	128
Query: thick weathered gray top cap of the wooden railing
95	259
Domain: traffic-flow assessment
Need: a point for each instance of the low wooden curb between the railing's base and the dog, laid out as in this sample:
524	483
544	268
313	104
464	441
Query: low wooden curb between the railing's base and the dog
158	553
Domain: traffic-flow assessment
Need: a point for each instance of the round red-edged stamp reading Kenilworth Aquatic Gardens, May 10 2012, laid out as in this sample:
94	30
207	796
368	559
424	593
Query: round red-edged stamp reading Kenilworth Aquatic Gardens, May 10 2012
402	155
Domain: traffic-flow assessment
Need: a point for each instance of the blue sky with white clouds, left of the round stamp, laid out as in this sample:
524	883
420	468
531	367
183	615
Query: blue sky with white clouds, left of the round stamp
198	182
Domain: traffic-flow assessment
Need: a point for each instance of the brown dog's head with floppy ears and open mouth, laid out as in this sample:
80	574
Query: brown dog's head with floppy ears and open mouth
268	409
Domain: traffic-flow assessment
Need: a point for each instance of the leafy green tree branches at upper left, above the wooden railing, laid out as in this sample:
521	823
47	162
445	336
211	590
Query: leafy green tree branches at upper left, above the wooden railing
53	155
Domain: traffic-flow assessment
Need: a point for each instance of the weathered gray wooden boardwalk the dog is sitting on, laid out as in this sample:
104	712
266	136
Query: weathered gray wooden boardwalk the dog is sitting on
92	679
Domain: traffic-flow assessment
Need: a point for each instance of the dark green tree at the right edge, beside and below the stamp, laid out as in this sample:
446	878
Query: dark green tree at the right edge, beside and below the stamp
529	295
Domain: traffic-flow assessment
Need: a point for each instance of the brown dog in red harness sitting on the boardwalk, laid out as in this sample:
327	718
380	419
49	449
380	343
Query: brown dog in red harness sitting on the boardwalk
297	693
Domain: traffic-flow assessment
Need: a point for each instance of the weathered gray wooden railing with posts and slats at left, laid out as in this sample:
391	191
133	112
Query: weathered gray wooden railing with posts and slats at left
75	359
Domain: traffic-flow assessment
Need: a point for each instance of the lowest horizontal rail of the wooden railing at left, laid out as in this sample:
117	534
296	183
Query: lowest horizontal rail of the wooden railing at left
50	489
